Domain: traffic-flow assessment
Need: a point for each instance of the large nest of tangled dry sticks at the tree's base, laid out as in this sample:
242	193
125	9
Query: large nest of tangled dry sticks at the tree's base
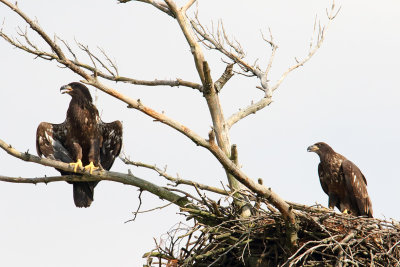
325	238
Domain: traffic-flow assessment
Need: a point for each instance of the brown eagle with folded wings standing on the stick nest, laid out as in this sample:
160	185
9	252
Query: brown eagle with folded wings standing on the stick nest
342	181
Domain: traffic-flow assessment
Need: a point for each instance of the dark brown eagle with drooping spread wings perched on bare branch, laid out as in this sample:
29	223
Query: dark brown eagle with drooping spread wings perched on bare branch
83	139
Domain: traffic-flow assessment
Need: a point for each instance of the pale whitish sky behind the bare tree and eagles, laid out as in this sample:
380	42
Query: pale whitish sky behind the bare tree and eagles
347	95
